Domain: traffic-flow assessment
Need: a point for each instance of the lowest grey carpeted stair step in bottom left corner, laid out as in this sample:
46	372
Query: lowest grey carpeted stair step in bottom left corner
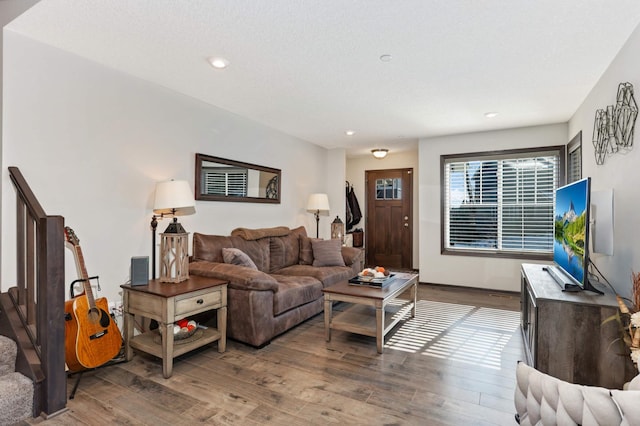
16	398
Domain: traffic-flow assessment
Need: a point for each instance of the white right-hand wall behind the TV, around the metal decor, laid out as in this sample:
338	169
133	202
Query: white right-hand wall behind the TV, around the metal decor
620	172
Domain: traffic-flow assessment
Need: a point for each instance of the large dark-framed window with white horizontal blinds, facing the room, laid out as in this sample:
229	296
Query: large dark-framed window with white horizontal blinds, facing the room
500	203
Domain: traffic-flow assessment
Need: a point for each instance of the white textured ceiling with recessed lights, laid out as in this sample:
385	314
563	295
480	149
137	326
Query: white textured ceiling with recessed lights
311	68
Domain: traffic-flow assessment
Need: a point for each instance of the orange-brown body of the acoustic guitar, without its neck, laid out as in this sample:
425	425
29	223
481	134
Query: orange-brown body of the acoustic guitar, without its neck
98	339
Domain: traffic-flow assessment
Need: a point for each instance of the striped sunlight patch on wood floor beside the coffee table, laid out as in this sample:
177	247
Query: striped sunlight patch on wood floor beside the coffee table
459	333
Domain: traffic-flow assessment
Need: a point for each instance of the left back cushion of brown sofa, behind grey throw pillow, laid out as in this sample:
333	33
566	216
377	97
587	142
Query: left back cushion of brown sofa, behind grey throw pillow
209	248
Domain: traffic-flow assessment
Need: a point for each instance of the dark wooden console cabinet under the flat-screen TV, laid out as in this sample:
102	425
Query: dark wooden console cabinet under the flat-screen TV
563	332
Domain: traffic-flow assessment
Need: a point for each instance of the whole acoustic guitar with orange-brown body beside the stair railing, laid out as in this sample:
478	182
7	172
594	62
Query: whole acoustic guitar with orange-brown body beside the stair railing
91	336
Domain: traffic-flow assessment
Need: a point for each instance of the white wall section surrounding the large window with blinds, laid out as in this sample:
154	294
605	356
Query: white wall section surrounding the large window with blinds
466	271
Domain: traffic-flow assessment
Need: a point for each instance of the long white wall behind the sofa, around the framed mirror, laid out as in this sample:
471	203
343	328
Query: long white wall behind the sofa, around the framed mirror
93	142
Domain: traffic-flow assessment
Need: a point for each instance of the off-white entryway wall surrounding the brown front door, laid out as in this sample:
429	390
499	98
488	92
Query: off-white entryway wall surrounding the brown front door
355	174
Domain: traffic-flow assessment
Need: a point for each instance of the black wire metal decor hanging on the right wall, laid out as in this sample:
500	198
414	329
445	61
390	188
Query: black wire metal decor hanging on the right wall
613	126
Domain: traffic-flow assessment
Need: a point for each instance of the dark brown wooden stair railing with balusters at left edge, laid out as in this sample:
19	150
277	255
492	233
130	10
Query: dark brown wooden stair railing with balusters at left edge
38	299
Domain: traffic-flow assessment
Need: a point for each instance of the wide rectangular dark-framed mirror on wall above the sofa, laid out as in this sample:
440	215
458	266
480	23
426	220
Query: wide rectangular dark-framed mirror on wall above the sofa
220	179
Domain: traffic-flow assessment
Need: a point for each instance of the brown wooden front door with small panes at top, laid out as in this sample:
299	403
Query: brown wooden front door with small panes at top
389	230
